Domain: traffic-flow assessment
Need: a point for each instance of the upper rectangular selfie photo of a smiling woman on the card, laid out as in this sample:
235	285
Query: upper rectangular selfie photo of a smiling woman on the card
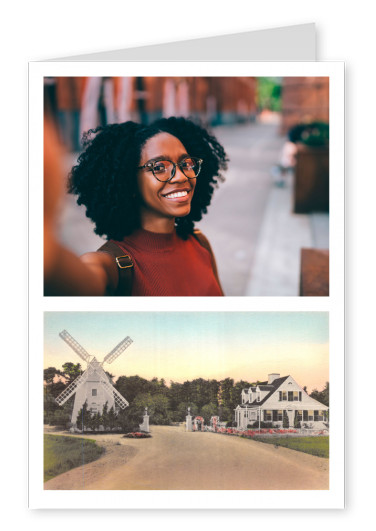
186	186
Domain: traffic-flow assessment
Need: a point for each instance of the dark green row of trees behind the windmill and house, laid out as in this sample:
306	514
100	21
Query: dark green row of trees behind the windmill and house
167	404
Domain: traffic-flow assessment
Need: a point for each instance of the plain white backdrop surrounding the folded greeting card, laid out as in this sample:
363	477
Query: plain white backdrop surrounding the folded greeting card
44	29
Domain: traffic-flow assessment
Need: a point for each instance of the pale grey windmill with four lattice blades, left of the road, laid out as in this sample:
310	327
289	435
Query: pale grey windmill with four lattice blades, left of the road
93	386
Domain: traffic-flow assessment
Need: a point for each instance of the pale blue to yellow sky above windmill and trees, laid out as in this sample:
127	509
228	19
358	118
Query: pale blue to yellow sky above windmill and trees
181	346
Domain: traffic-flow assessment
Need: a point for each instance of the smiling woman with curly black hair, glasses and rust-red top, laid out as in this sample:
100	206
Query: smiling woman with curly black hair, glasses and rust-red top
144	187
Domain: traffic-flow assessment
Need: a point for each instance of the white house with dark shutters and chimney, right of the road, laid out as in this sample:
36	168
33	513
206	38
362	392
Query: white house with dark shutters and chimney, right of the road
276	399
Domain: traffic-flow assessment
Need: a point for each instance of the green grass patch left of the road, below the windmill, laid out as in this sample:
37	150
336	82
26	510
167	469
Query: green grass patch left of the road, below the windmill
63	453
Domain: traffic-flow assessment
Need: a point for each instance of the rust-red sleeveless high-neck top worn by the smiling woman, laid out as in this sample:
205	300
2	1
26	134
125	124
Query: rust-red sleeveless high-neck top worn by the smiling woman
166	265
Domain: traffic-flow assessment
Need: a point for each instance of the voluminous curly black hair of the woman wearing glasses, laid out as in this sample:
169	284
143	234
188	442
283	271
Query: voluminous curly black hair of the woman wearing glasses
105	176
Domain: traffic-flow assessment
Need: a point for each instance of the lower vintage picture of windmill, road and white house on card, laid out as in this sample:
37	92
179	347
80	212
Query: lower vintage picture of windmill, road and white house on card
186	401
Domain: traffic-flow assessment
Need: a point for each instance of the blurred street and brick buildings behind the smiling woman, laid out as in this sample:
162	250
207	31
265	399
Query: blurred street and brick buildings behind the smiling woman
268	222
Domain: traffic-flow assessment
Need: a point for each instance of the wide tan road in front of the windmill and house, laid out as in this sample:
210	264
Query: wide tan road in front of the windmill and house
174	459
